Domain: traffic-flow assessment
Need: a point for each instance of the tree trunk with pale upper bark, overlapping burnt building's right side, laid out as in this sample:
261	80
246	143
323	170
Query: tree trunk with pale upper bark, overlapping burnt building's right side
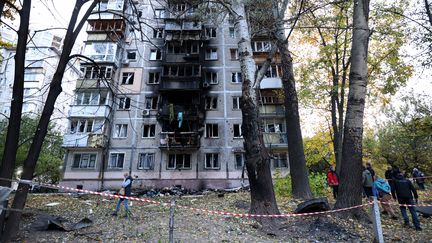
263	199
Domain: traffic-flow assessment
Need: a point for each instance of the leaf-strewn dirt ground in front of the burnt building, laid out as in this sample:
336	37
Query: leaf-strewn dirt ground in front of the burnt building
149	222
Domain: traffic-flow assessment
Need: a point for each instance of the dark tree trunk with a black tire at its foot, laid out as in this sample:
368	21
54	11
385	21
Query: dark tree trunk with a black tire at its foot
297	161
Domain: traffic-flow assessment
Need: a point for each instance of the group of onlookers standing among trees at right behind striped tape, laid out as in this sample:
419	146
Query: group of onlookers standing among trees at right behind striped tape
394	185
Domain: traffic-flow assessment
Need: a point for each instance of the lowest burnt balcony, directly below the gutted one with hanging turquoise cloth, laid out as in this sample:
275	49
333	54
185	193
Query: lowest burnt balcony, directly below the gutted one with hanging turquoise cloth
180	140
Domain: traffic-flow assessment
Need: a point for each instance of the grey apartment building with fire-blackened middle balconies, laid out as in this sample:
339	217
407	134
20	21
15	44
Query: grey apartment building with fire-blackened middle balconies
165	108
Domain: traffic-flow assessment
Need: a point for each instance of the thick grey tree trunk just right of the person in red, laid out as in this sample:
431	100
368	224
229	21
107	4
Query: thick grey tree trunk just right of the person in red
350	189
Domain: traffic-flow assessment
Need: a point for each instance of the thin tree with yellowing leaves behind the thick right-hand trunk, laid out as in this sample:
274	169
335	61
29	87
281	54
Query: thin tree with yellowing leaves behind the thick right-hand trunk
324	73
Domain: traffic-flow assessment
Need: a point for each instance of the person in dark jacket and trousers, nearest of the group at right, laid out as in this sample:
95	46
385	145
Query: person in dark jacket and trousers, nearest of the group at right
404	192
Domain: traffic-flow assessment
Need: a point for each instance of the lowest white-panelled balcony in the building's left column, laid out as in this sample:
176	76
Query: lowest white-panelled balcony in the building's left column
84	140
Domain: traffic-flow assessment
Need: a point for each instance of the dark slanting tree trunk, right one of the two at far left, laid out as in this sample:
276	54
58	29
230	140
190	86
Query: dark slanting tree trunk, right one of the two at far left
12	224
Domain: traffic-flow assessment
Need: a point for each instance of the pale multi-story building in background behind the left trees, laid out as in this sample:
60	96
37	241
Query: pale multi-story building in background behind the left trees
42	56
